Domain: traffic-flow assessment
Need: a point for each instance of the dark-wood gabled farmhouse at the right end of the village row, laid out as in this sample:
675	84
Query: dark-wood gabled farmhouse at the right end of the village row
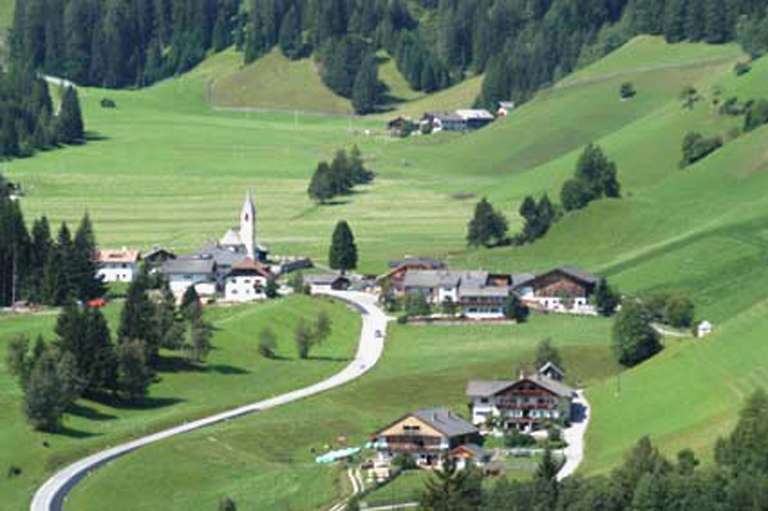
563	289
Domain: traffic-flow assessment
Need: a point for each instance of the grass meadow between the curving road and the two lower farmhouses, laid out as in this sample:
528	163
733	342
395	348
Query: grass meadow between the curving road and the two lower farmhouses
265	461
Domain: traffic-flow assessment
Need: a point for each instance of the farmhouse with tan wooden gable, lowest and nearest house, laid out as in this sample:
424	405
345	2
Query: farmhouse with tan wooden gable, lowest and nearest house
425	434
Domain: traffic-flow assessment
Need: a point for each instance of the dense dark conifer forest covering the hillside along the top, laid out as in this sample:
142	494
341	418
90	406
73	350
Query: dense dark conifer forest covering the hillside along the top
520	45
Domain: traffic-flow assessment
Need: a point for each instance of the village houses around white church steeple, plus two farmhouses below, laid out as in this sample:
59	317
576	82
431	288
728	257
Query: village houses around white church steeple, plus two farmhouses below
507	418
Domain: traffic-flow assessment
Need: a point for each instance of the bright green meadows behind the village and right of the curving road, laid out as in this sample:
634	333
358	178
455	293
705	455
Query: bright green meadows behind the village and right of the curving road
167	170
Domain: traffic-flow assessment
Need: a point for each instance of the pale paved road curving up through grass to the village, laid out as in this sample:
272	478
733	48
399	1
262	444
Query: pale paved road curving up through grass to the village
50	496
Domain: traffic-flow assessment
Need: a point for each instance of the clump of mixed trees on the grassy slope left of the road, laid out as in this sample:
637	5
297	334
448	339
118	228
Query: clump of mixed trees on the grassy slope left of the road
83	360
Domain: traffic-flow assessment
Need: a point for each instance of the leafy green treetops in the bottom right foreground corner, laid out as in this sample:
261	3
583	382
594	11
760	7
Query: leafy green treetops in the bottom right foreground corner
646	480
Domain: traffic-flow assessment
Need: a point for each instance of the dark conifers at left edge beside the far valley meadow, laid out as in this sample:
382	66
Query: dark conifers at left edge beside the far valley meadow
28	121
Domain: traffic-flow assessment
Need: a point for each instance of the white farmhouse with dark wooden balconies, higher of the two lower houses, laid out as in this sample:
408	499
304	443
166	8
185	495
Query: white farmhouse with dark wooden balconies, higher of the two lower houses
527	404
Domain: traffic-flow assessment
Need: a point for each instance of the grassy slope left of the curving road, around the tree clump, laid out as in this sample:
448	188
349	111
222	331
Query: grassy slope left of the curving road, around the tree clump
236	374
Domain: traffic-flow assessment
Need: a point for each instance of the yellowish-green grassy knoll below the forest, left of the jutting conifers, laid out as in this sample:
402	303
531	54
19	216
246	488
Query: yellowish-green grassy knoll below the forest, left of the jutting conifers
274	82
